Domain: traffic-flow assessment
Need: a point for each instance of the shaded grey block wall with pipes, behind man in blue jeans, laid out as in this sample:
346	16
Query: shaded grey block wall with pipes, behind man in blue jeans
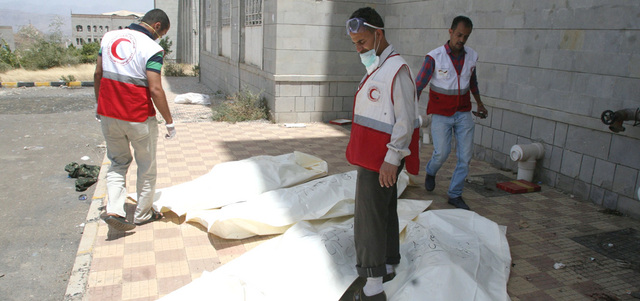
547	71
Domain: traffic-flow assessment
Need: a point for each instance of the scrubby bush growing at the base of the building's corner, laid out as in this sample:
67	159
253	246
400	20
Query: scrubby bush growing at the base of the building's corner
243	106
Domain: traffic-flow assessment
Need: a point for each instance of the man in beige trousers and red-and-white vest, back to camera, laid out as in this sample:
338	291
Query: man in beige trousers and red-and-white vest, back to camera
127	85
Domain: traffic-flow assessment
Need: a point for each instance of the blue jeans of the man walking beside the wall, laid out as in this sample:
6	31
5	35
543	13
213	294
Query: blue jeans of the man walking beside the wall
442	127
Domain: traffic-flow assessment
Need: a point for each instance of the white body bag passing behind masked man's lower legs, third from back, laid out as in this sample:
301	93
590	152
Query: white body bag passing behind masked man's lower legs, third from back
314	259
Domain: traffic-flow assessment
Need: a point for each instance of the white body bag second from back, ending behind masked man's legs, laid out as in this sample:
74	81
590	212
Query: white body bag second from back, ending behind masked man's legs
273	212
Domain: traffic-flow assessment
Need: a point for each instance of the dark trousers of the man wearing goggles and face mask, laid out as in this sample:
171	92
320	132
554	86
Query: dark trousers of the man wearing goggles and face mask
376	224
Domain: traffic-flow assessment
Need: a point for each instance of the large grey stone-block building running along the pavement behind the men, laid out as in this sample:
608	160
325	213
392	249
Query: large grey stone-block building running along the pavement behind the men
547	71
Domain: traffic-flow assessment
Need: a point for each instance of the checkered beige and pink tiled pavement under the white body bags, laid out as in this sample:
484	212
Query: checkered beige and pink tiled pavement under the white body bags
160	257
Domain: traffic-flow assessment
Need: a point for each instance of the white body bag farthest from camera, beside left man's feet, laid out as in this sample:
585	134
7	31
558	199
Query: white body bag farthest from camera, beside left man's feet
237	181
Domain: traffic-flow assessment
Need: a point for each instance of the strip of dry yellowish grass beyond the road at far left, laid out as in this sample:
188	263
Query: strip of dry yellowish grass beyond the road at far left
83	72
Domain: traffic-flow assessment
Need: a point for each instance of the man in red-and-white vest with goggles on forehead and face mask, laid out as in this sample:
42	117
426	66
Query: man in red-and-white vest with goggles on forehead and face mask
384	139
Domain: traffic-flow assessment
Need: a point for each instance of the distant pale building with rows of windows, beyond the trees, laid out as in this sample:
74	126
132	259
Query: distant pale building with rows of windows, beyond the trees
86	28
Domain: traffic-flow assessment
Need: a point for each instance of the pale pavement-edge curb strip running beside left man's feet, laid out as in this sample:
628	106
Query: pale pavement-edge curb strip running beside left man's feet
79	277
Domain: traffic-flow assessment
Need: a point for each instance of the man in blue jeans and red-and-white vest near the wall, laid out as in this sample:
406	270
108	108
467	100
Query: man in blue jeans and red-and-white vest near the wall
451	69
